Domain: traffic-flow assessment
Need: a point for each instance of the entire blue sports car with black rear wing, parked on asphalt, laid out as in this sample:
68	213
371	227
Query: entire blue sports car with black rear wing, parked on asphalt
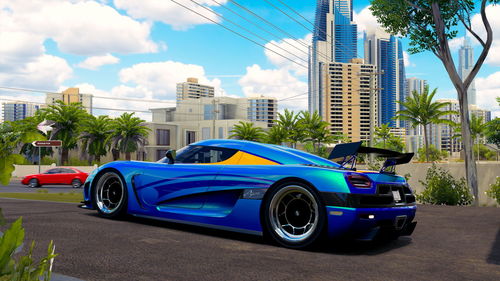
288	195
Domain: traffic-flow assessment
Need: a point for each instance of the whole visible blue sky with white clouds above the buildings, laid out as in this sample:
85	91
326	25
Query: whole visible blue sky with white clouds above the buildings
140	49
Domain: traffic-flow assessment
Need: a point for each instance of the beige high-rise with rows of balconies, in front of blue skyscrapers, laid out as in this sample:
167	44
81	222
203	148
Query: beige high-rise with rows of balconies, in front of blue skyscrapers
347	104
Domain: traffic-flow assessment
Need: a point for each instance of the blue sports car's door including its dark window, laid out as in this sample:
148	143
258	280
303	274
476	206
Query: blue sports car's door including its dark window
182	185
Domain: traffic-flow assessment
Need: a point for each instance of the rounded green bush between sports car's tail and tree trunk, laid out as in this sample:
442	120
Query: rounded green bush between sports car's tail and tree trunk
440	188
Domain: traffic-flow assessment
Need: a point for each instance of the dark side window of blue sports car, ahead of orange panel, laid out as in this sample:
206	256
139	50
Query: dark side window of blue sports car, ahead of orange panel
205	154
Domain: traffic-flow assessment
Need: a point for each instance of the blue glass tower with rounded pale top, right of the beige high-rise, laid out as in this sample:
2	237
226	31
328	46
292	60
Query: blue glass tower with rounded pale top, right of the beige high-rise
386	52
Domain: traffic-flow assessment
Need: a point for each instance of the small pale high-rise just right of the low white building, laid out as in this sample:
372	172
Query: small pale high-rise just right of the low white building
263	109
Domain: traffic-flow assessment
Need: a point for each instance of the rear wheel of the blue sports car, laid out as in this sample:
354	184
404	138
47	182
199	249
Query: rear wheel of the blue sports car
293	215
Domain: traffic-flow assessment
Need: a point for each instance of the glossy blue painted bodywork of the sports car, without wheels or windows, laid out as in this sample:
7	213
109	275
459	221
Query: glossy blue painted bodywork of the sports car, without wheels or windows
159	182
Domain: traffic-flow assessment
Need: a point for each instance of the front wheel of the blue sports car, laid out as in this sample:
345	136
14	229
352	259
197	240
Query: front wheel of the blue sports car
110	195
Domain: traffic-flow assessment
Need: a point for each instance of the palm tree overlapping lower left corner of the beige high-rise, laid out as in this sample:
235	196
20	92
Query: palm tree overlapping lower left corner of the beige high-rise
315	129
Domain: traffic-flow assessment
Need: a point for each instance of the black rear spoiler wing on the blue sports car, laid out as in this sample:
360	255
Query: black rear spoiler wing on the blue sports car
349	151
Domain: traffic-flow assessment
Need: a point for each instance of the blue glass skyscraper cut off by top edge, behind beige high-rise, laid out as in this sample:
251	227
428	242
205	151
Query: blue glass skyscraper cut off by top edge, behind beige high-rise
334	40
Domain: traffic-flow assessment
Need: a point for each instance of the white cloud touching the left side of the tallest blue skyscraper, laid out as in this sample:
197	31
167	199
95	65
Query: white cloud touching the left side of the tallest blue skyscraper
278	83
